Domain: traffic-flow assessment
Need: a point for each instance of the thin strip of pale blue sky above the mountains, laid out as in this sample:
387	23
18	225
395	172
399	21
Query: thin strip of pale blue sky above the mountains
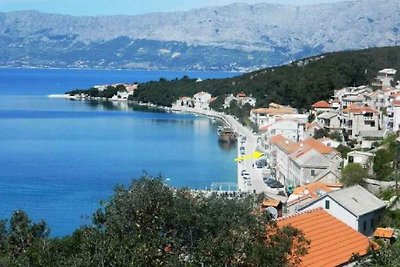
130	7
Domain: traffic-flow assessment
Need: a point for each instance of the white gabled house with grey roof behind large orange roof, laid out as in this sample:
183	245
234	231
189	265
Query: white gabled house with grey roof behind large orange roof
354	206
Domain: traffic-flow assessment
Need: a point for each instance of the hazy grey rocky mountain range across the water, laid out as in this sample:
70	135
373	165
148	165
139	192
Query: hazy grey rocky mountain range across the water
237	37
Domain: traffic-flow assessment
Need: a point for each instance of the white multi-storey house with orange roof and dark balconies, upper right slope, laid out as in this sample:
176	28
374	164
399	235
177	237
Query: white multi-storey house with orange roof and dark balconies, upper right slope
359	118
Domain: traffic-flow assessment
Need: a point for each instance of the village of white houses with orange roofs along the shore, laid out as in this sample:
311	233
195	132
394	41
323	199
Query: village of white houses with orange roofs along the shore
305	156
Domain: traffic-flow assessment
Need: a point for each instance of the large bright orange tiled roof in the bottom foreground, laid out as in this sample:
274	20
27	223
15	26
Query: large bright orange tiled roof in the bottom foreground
332	242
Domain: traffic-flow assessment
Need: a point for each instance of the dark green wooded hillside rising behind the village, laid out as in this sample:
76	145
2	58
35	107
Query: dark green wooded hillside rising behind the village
298	84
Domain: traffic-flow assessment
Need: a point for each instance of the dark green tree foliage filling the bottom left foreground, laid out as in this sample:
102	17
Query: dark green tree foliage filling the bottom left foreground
151	224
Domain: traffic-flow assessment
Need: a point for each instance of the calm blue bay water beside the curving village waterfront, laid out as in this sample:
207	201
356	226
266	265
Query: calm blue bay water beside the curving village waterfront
59	158
